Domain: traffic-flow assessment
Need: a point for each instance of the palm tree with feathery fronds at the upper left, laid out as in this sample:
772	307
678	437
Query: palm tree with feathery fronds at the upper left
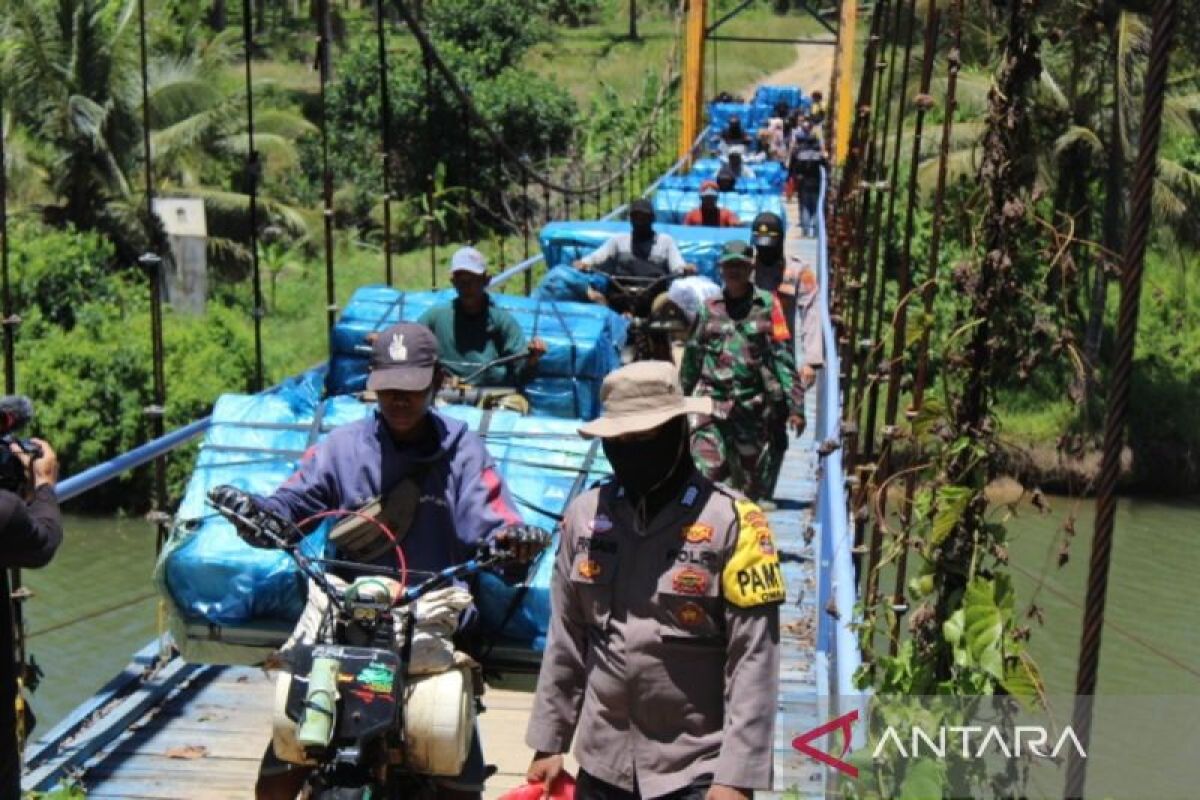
77	93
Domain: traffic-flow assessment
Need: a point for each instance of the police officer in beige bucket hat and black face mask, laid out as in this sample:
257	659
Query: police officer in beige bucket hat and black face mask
663	655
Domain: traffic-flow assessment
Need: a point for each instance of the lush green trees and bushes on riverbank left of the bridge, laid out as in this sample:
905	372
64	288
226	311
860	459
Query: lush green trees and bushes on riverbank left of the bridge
562	85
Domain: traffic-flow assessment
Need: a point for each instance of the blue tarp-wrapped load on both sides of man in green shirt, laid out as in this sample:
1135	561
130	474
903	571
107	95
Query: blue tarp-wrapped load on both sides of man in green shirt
584	344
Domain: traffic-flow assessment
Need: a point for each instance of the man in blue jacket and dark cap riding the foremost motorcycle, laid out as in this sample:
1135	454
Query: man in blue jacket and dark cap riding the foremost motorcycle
457	502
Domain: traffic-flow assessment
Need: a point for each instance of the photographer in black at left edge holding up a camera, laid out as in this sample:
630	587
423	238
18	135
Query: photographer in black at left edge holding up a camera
31	533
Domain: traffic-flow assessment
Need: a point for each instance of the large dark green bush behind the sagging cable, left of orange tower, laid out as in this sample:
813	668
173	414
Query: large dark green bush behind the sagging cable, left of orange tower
533	116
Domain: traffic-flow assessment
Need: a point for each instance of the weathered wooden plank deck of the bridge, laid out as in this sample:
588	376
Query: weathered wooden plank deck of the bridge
200	732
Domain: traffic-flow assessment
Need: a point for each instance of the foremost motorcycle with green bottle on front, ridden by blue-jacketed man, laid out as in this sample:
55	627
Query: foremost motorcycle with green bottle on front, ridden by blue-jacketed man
347	706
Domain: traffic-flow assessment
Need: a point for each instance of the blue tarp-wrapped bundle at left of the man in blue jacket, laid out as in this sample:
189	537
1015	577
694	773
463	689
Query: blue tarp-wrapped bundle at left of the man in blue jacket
232	603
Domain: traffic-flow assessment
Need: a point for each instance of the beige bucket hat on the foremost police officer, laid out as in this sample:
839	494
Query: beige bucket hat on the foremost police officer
641	396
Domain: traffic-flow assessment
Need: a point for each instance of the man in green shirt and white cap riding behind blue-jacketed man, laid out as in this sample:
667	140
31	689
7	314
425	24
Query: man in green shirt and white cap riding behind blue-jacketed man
472	332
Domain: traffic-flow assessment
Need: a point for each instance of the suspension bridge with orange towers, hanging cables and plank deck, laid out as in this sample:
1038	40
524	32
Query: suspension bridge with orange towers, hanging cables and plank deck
169	729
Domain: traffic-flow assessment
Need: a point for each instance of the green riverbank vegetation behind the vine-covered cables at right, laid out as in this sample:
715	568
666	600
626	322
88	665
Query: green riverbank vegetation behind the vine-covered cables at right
1085	116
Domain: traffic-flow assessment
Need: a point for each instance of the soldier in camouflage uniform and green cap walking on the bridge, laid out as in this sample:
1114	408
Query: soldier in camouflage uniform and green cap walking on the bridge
740	354
